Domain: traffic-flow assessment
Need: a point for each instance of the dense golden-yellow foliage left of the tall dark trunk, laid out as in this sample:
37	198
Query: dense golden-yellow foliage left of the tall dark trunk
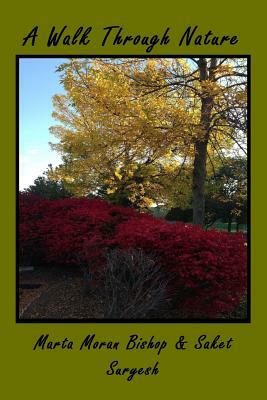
114	136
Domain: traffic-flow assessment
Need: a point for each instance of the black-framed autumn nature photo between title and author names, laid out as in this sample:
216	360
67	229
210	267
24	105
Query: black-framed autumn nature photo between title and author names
133	188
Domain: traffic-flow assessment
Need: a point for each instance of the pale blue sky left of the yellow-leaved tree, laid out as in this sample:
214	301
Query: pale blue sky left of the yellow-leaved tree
38	82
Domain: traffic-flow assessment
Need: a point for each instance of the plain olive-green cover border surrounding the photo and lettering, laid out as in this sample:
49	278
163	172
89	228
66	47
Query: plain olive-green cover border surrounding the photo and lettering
183	374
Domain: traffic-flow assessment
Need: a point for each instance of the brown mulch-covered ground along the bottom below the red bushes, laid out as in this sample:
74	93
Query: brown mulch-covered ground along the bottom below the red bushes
60	294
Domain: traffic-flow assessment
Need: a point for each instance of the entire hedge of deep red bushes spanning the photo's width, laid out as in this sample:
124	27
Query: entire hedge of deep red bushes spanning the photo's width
207	268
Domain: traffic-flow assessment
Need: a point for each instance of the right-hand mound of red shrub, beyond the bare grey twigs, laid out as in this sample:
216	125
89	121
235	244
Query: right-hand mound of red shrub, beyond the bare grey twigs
208	267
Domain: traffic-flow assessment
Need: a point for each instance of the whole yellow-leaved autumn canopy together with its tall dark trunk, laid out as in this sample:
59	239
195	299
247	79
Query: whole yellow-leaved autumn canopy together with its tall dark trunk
140	123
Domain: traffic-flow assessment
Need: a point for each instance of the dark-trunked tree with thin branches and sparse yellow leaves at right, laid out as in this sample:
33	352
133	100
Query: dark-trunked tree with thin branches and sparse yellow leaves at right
215	93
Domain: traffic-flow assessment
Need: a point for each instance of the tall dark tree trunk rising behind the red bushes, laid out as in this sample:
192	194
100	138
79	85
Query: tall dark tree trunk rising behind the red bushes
199	169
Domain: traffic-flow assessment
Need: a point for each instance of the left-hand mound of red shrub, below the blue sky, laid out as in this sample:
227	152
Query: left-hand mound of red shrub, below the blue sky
56	231
